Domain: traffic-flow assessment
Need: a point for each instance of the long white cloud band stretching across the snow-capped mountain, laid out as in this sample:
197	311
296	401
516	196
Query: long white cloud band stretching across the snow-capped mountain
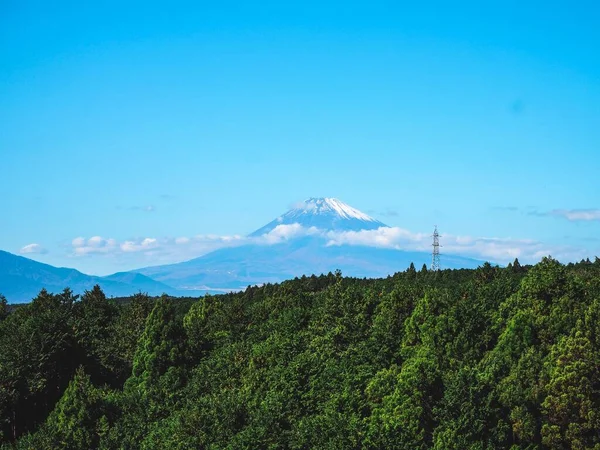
177	249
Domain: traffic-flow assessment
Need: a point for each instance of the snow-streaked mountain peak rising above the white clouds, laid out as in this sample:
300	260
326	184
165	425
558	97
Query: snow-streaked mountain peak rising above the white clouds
325	214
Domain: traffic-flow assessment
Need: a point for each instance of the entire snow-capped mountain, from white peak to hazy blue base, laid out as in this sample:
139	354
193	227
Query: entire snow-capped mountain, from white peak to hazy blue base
294	244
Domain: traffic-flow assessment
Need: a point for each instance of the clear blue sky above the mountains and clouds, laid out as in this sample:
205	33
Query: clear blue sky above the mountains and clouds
143	122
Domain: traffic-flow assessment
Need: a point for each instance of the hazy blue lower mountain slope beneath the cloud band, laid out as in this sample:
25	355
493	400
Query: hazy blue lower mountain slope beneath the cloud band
238	267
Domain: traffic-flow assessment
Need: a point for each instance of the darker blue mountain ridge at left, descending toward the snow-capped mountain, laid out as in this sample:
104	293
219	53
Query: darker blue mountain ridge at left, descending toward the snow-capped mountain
21	279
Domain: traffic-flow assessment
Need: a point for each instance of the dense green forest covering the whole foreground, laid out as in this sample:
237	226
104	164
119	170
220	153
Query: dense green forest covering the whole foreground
491	358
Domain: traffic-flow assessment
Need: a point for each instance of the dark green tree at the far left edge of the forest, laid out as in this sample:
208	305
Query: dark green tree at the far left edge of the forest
38	356
